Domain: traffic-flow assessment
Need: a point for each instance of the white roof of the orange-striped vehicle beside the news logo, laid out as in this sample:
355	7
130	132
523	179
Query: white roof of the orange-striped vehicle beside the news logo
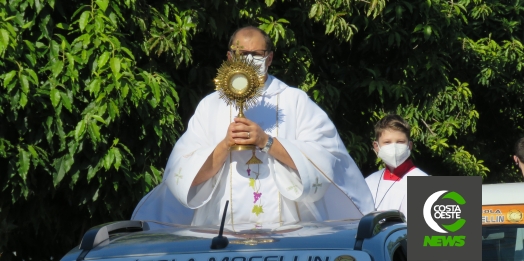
502	194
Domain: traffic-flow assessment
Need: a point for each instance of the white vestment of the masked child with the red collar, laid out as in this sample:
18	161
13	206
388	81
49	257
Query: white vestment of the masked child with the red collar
390	194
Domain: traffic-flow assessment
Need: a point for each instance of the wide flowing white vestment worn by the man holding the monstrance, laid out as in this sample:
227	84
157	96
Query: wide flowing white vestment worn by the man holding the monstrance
327	185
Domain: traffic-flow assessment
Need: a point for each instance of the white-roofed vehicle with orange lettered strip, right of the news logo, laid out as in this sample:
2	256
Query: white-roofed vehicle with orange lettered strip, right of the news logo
503	222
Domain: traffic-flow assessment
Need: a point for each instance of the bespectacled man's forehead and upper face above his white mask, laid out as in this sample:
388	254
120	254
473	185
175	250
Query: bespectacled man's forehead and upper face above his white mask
252	42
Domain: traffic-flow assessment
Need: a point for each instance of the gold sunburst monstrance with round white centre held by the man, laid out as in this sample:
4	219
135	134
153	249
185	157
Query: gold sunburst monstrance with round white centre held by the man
238	83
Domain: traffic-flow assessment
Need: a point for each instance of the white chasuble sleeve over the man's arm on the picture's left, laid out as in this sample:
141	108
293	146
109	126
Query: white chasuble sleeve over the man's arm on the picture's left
189	154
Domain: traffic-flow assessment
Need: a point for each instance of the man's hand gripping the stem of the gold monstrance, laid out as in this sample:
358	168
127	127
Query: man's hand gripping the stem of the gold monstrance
244	131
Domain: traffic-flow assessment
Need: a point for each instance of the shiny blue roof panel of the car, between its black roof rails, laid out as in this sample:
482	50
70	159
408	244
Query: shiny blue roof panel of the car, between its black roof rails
179	239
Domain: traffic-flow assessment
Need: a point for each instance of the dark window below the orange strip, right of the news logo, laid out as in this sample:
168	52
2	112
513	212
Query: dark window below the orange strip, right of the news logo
503	243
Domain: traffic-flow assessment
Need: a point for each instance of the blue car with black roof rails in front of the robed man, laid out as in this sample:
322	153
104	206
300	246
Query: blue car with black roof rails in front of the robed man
377	236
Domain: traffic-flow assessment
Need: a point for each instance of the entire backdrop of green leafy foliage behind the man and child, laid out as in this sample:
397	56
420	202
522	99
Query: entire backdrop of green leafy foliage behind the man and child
95	93
